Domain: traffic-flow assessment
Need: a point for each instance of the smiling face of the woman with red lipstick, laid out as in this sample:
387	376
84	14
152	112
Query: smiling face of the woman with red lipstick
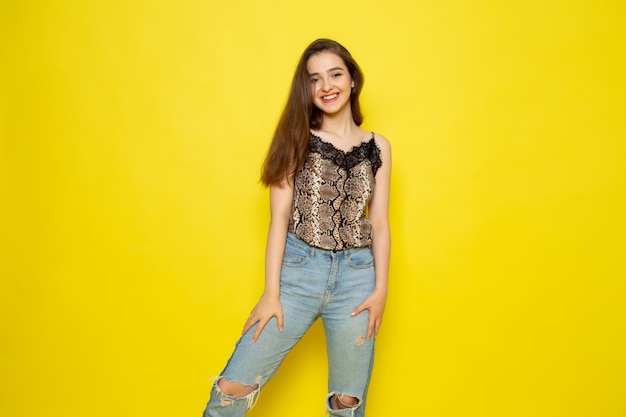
331	83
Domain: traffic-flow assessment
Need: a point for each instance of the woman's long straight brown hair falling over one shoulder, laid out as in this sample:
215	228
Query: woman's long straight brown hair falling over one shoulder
289	148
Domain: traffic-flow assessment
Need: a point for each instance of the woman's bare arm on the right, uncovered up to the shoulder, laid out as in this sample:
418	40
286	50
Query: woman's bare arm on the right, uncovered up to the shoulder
381	241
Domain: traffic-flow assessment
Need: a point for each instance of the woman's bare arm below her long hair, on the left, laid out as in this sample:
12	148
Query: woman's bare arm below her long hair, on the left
269	305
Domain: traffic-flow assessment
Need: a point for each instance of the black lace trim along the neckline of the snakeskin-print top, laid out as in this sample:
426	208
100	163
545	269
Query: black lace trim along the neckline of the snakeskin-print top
365	151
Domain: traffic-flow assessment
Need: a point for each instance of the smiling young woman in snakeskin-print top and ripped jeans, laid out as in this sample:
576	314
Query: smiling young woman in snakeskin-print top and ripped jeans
328	244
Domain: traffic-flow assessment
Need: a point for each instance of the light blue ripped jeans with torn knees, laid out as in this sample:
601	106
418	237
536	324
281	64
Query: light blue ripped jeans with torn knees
313	283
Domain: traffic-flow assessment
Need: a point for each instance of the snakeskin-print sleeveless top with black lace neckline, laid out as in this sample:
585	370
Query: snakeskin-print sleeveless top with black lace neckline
331	194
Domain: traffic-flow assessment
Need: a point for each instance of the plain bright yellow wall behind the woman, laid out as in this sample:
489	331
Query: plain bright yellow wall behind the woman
133	225
